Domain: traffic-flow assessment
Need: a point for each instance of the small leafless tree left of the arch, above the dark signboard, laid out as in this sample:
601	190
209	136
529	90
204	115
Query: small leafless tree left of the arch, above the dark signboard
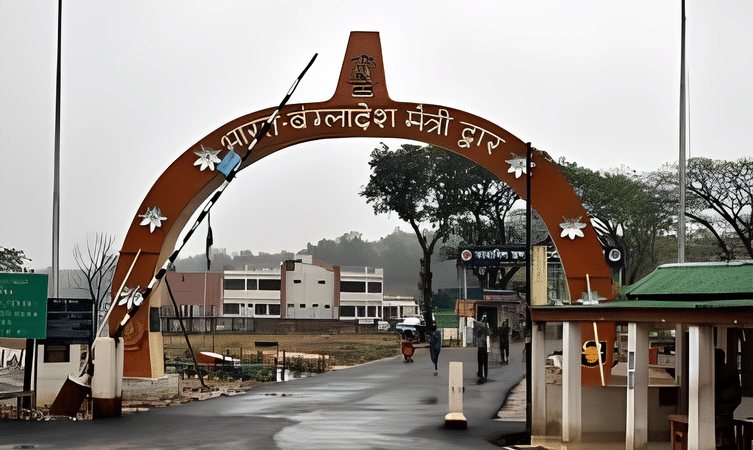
97	267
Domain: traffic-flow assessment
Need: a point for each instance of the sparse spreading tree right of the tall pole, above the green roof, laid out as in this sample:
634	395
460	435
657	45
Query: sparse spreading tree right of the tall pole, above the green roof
720	197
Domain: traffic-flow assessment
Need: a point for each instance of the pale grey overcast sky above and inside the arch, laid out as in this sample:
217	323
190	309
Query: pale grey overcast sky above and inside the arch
596	82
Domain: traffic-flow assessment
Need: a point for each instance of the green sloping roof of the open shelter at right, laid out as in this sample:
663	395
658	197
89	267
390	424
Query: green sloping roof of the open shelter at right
696	281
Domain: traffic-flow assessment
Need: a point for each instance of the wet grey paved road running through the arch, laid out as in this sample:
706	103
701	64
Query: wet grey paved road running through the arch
382	405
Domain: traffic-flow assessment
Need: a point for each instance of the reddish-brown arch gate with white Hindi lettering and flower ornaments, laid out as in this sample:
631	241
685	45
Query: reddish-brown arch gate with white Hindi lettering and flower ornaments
360	107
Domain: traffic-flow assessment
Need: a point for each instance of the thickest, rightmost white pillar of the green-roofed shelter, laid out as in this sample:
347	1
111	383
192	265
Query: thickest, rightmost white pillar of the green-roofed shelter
701	407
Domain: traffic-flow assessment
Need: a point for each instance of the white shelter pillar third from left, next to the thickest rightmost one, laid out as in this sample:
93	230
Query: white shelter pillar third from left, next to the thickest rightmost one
636	430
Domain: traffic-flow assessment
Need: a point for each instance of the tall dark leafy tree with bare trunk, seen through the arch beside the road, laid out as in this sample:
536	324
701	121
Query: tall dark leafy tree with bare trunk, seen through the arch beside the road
422	185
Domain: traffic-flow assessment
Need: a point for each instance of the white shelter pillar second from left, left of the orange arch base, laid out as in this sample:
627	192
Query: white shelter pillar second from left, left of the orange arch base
571	389
